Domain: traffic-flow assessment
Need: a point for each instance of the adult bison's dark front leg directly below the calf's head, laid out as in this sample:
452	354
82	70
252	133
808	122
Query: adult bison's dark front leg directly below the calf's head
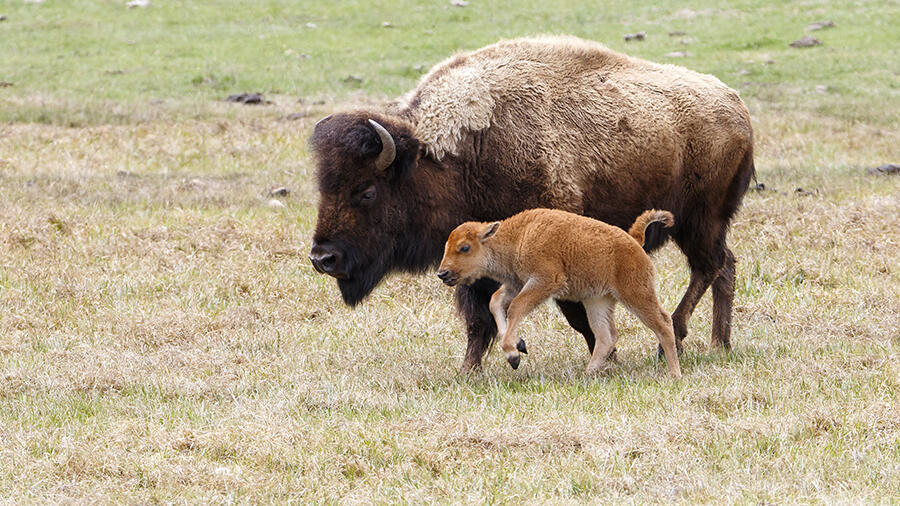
473	303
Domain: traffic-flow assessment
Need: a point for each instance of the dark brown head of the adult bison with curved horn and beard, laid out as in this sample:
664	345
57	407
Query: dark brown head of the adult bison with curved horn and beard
364	162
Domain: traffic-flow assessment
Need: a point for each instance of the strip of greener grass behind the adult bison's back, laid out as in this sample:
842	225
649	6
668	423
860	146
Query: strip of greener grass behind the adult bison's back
89	62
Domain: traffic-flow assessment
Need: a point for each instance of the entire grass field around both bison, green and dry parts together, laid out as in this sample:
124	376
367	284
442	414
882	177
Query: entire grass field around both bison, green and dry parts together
163	337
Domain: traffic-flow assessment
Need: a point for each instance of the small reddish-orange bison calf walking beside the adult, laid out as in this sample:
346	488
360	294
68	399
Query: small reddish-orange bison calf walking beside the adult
543	253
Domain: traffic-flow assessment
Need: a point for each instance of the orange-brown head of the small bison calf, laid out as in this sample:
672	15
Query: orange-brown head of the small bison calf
466	254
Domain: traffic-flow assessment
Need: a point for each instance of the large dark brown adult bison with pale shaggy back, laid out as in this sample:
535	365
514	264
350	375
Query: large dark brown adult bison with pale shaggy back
554	122
